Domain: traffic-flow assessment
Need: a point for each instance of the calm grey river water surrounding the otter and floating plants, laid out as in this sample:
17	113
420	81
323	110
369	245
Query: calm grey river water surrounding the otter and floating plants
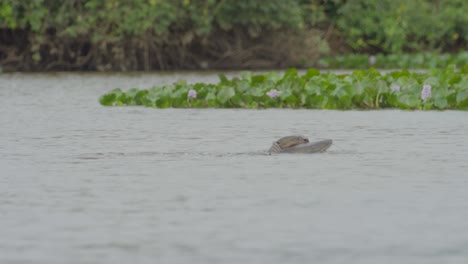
83	183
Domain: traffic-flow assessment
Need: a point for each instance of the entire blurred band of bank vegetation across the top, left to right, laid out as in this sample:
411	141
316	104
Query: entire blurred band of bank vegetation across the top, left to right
199	34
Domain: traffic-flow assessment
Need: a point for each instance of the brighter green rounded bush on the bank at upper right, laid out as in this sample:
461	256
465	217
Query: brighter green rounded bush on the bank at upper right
393	26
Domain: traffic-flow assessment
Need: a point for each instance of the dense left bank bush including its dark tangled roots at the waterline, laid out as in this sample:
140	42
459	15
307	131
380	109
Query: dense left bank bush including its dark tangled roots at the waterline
145	34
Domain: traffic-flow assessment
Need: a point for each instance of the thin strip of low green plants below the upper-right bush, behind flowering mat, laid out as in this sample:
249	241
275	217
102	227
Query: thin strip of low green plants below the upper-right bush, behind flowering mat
393	61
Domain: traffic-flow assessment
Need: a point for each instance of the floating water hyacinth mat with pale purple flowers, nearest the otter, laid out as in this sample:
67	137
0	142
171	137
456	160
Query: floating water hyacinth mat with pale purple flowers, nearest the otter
360	90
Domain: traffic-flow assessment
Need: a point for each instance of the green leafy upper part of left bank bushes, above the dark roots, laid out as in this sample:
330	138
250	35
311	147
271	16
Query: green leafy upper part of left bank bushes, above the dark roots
117	19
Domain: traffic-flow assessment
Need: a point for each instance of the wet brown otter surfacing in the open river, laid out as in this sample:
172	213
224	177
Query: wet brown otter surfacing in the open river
299	144
